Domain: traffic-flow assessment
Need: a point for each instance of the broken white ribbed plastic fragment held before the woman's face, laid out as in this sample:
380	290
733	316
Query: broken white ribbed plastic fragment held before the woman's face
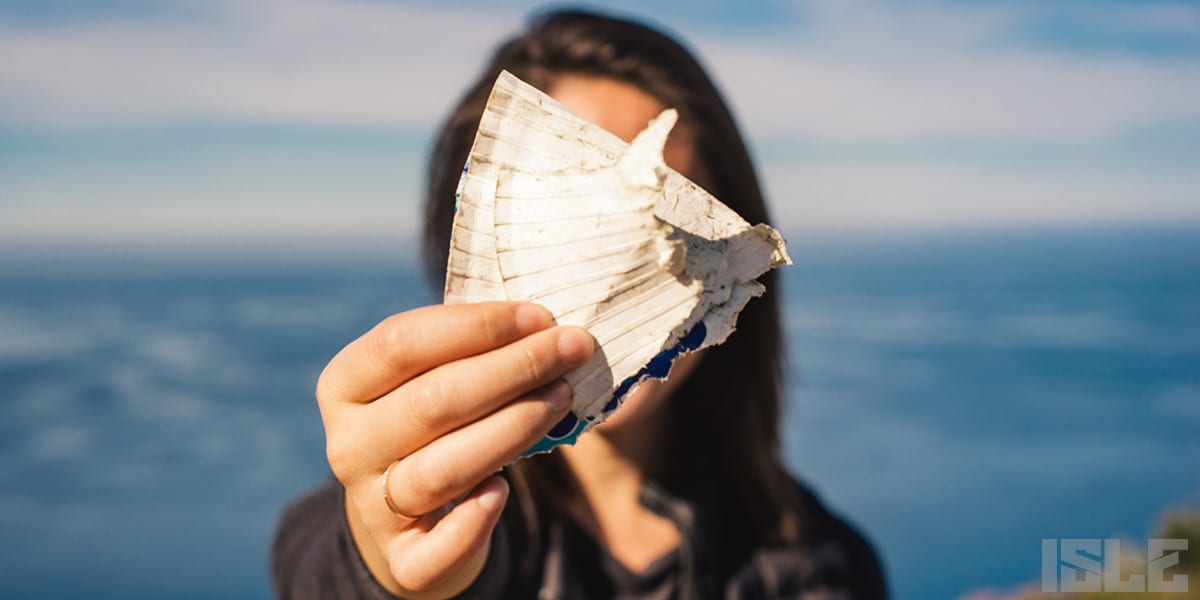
556	211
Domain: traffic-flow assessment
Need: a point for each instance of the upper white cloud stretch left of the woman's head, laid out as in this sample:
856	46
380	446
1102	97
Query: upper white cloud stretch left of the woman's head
304	62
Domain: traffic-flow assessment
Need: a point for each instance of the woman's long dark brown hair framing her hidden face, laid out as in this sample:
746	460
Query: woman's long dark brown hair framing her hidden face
724	437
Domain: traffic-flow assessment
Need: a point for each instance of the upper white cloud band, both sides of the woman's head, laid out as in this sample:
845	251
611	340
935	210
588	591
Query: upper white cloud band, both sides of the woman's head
844	71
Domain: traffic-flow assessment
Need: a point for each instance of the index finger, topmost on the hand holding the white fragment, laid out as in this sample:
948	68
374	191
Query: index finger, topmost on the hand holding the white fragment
406	345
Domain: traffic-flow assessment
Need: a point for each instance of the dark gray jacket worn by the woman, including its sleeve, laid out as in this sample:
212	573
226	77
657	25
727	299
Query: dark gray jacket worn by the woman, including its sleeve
315	557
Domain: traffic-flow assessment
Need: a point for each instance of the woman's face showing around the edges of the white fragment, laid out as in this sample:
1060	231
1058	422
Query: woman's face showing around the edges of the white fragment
625	110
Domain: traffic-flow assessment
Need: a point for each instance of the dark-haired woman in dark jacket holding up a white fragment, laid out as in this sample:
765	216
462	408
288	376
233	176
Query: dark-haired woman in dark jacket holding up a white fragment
682	494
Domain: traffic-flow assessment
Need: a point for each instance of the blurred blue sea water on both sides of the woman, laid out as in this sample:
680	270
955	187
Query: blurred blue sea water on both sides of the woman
959	398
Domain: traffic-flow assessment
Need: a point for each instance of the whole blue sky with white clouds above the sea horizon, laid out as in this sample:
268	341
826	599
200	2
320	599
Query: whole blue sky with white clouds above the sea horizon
159	122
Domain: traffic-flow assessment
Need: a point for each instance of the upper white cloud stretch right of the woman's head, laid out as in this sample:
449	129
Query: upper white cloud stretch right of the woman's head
869	71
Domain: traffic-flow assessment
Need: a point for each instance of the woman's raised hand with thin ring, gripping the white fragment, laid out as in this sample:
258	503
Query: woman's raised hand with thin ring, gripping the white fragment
428	406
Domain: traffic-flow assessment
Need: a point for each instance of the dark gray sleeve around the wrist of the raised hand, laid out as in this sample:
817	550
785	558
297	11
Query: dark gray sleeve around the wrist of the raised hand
315	557
